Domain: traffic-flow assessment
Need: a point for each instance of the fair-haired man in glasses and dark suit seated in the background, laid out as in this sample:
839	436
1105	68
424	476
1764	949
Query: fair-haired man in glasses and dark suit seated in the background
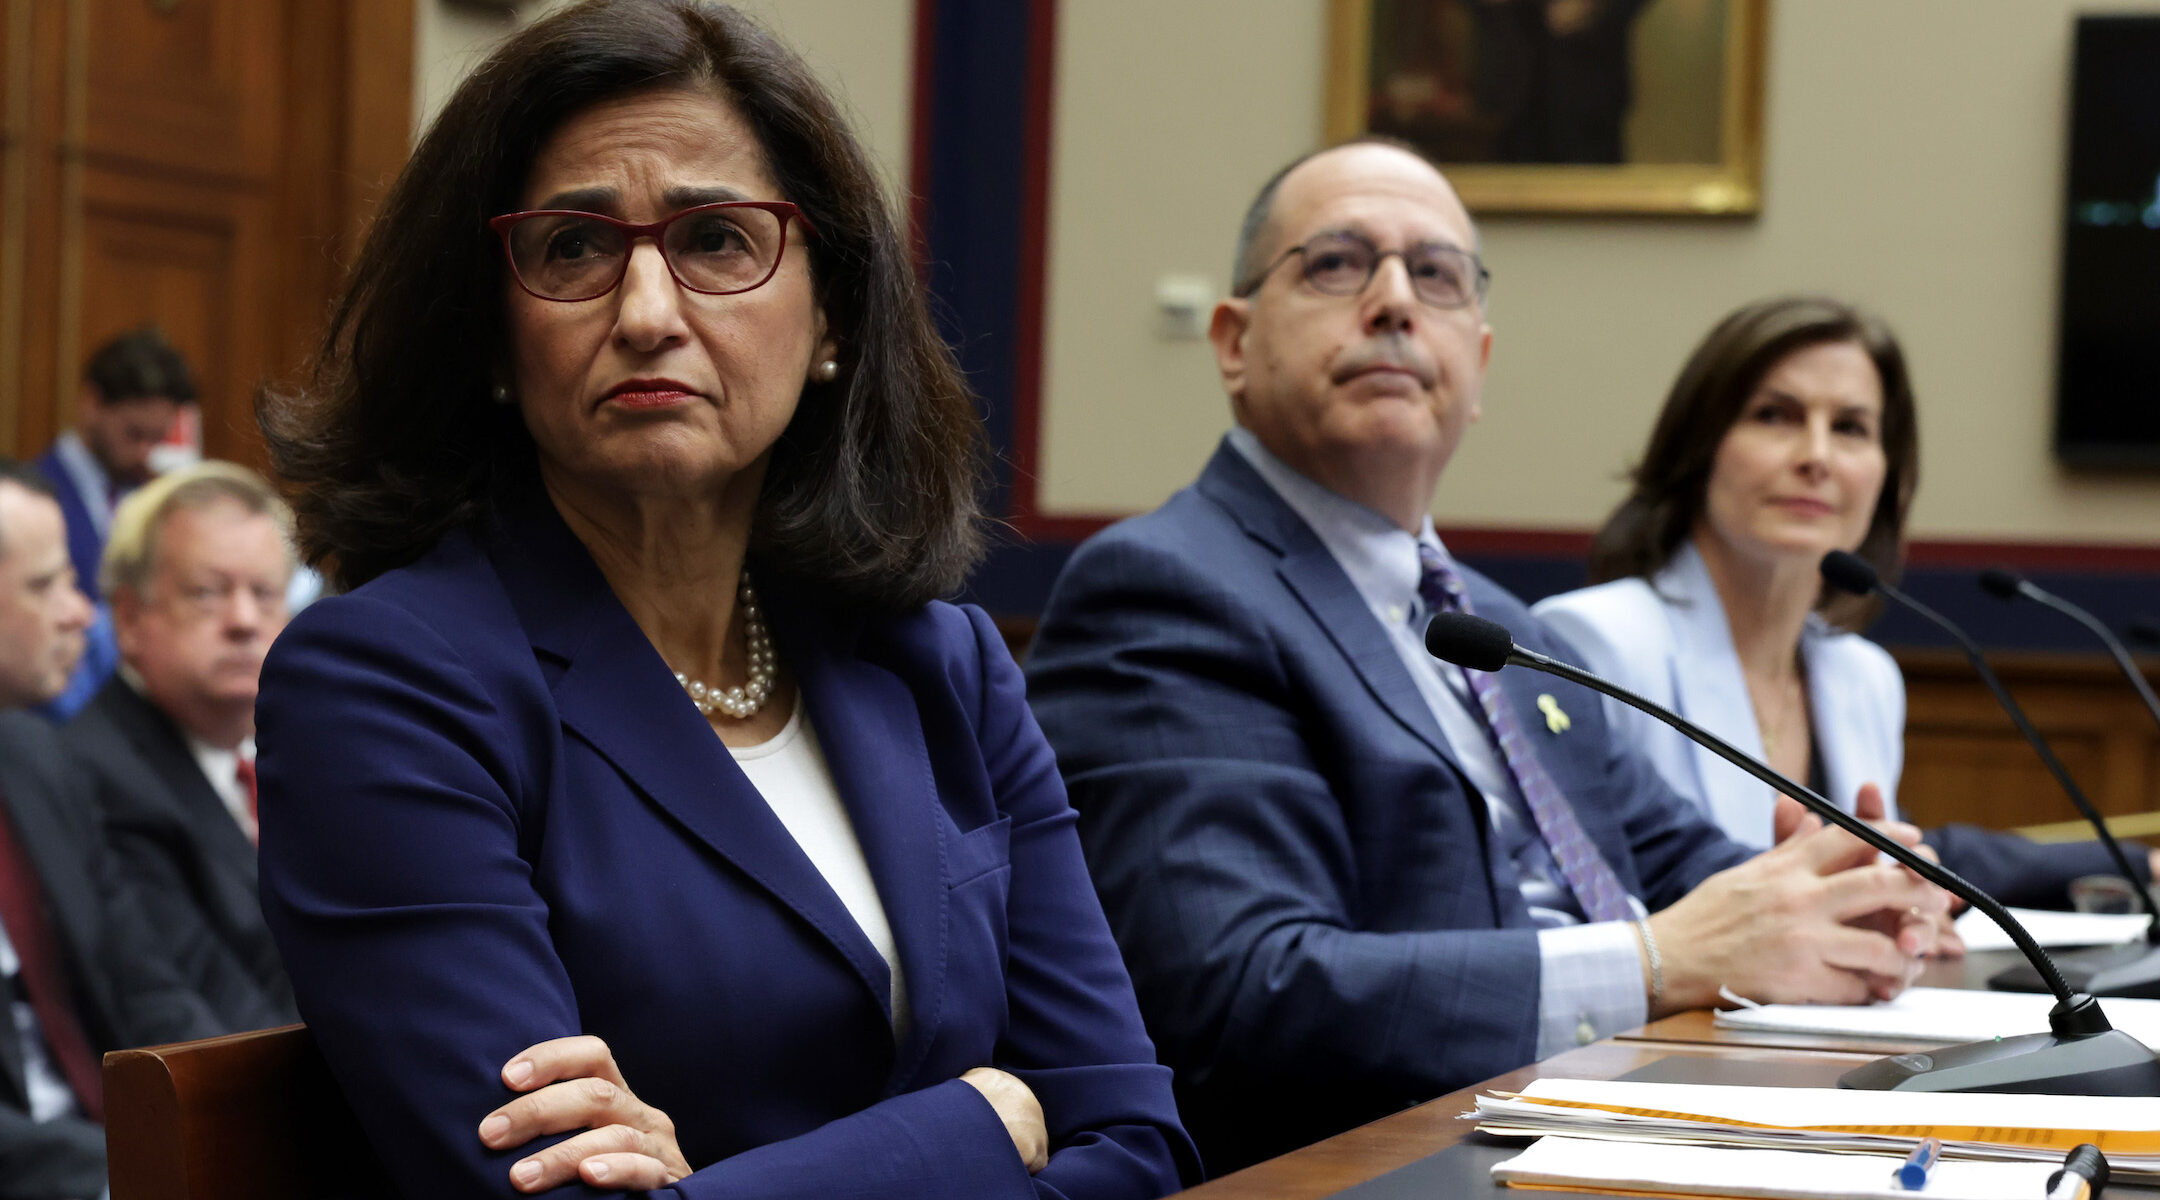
195	571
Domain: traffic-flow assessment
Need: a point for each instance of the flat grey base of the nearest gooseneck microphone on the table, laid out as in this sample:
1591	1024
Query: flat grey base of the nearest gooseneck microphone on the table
2090	1065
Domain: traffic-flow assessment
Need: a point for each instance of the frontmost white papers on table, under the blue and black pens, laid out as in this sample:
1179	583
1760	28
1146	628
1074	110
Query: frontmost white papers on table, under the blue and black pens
1656	1169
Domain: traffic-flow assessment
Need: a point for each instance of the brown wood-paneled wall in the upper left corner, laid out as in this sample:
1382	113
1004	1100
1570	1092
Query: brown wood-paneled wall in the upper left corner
202	165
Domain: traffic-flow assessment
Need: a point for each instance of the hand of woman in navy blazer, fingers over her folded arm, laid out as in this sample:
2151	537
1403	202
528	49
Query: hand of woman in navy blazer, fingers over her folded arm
576	1085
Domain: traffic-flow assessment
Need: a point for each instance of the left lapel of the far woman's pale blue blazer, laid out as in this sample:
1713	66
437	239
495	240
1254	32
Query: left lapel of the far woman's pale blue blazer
1710	690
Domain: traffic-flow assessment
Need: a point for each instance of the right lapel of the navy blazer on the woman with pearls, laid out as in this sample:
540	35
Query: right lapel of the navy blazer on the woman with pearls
872	733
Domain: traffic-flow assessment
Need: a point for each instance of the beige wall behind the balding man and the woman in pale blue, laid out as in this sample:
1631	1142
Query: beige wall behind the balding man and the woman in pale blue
1913	165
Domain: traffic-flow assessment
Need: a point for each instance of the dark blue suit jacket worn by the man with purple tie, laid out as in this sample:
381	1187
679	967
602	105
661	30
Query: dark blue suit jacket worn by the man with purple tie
1291	856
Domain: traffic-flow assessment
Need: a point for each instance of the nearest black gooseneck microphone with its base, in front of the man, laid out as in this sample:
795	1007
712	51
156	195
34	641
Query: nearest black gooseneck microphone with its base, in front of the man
2081	1056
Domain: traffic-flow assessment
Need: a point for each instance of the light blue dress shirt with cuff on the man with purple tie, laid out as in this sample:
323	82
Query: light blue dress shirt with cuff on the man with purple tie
1589	974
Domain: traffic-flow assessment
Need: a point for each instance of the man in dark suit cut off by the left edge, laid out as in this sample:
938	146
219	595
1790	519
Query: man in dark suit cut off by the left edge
81	970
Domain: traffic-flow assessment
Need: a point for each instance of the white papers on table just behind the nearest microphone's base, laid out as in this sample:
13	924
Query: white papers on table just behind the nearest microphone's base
1941	1015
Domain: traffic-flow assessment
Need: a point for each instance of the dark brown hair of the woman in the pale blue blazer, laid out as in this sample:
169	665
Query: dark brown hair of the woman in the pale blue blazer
1714	387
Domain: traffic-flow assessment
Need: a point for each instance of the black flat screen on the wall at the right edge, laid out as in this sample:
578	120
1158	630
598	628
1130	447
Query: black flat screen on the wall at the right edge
2107	405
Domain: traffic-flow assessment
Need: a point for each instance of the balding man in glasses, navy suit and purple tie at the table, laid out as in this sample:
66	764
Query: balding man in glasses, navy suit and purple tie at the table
1345	875
